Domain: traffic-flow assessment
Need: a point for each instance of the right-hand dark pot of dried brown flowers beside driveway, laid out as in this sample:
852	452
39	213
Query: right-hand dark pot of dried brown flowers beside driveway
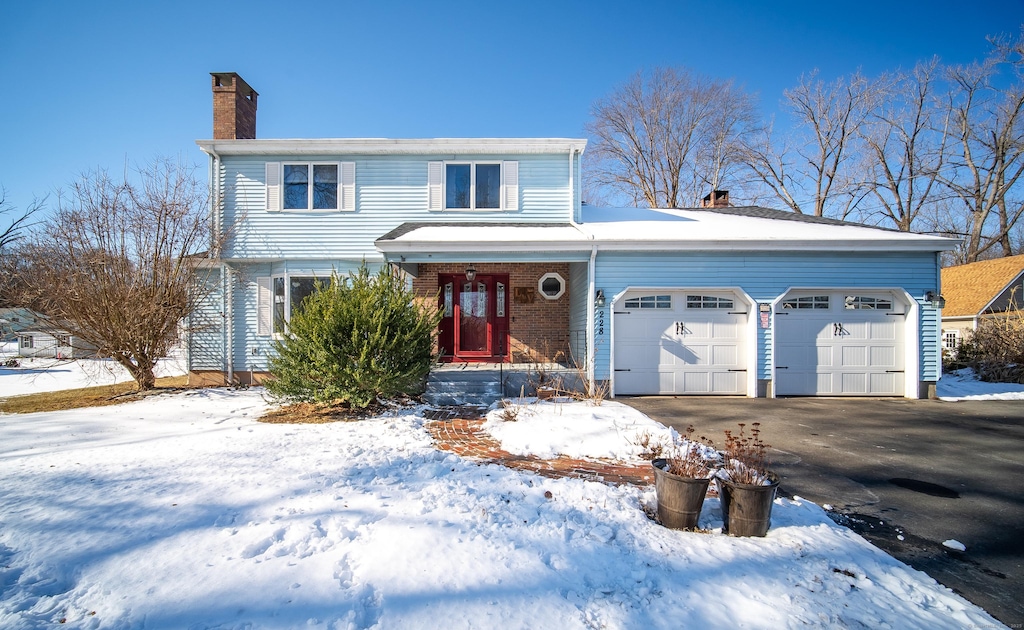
747	487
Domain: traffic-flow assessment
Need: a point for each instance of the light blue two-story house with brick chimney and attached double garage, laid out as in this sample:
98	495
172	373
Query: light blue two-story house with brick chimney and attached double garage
711	301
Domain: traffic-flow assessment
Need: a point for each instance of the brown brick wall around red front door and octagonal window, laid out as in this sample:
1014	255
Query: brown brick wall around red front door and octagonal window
539	328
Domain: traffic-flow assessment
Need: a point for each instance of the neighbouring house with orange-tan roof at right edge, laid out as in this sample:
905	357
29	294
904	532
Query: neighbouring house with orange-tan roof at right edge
978	291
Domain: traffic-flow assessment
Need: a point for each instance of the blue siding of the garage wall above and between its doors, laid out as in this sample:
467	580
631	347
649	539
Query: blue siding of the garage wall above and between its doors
766	276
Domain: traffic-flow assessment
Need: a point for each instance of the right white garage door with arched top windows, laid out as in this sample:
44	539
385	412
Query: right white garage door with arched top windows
832	344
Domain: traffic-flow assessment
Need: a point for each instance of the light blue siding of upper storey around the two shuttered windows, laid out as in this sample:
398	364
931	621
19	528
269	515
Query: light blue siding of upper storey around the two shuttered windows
390	192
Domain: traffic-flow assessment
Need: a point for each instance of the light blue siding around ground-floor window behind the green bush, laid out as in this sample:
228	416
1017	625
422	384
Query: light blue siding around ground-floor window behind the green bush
252	351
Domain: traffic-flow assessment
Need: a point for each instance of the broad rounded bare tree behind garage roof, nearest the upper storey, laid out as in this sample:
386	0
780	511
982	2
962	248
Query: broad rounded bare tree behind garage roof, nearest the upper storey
665	137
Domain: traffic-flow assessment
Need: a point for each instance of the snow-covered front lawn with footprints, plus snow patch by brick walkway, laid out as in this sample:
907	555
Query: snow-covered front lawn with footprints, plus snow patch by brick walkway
183	512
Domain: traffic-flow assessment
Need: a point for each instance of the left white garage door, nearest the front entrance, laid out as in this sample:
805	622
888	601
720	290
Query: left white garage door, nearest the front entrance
680	343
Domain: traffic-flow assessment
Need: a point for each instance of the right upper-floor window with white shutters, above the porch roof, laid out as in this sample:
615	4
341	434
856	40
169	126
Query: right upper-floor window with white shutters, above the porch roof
474	186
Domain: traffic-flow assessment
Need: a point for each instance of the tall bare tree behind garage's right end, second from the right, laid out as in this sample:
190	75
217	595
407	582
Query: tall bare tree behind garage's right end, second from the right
905	139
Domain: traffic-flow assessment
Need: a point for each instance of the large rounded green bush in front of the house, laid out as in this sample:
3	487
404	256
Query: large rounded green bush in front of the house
355	341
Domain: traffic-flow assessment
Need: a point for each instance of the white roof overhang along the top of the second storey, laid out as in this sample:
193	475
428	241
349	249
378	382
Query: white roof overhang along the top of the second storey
392	147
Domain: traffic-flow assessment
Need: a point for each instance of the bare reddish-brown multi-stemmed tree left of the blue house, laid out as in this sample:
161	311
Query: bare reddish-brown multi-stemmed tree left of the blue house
115	266
